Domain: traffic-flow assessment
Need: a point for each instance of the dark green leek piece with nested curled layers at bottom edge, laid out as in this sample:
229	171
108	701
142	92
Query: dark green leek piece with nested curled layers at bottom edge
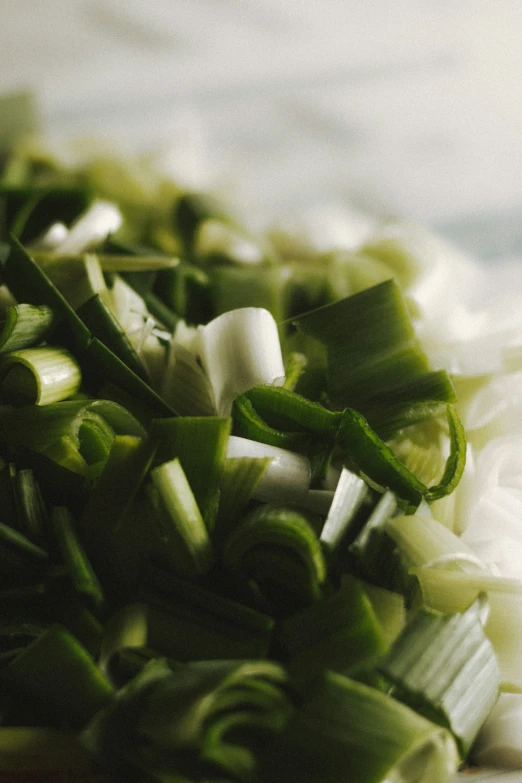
205	721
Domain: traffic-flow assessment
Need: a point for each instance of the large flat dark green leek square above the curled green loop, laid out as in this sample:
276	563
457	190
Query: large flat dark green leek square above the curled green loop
375	364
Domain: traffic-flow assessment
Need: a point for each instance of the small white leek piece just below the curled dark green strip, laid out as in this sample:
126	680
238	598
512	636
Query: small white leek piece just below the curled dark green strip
287	478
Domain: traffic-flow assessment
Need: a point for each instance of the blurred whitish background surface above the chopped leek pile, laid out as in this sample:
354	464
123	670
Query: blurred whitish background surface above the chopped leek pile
413	107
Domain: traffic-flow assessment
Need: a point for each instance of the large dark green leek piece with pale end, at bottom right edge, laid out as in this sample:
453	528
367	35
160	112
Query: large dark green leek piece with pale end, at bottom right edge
351	729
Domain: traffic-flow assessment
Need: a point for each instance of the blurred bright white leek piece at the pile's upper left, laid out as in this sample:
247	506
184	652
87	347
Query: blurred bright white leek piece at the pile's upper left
91	228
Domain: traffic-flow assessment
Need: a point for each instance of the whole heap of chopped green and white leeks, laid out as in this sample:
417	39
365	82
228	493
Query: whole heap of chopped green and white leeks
233	543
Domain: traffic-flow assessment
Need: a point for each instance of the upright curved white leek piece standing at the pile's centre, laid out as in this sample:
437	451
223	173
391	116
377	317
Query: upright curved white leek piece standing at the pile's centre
240	349
